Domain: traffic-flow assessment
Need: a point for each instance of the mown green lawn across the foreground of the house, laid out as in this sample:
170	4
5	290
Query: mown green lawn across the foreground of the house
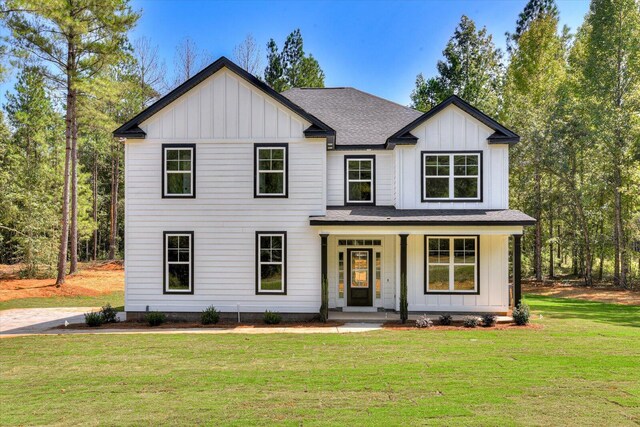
582	368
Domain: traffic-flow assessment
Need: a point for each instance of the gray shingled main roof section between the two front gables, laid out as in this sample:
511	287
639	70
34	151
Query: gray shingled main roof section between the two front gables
357	117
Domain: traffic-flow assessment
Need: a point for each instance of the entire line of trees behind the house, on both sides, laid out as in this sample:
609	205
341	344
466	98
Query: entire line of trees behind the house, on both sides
573	97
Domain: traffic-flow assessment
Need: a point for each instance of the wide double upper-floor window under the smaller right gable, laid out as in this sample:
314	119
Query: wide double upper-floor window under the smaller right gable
451	176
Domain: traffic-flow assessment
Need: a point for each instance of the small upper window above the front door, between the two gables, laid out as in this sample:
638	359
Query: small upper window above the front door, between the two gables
359	180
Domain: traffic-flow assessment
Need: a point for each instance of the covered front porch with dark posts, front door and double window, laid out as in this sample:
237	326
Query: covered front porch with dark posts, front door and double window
448	264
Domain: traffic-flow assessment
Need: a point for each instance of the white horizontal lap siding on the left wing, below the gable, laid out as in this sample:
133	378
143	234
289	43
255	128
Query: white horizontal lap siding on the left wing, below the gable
224	218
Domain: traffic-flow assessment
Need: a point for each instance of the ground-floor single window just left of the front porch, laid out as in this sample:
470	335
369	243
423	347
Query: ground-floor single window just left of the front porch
271	262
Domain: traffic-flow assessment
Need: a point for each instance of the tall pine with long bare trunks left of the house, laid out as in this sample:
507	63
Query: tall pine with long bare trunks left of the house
77	39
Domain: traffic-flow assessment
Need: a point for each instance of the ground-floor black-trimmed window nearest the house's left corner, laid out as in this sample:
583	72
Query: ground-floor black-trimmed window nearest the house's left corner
178	262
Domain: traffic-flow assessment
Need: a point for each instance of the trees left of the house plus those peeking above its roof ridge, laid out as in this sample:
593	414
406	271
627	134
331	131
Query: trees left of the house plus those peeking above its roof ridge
79	76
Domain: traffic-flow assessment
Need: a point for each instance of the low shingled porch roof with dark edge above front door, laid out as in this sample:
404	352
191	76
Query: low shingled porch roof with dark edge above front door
389	215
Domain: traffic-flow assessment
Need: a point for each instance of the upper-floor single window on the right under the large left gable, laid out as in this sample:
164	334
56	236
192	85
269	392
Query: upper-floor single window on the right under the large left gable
271	174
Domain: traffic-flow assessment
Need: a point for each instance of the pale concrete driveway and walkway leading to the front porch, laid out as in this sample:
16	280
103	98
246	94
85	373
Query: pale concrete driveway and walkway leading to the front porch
40	321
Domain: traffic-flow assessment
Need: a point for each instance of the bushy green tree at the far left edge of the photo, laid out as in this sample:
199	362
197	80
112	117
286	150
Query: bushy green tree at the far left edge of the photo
32	182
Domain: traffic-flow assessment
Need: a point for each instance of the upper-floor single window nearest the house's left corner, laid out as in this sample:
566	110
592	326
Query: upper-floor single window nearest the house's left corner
178	170
